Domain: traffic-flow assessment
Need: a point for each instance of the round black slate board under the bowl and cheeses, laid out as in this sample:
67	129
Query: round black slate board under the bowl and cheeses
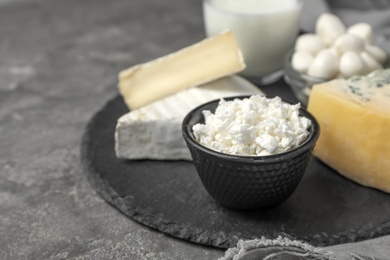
326	209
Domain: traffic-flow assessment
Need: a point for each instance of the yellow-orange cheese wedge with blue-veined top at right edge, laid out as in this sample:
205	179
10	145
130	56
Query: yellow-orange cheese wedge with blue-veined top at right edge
354	116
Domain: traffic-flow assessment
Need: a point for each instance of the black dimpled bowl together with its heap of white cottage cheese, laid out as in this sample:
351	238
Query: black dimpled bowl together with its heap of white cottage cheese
250	151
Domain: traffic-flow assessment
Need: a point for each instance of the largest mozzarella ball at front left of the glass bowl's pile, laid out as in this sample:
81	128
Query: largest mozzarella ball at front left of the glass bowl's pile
324	65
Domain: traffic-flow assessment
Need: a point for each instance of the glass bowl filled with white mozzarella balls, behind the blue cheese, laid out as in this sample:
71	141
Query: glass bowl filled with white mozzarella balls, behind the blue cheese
333	51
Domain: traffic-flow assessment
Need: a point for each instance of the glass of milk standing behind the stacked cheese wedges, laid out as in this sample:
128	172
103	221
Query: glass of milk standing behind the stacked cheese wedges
265	31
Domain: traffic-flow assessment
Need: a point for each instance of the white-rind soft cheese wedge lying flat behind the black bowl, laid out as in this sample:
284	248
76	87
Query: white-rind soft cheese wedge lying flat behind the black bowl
154	131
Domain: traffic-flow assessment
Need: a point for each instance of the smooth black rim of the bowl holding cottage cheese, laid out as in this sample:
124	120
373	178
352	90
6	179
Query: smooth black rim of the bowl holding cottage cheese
309	143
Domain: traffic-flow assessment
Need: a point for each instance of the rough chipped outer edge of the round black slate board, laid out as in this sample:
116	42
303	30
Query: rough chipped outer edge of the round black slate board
222	240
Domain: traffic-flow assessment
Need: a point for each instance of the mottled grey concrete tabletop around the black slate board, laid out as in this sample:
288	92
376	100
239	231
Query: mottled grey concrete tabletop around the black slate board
59	61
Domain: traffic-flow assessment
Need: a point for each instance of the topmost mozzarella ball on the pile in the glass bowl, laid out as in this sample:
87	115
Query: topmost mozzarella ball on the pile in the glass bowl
329	27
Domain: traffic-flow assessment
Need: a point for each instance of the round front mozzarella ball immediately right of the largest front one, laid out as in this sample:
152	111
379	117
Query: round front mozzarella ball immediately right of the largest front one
351	63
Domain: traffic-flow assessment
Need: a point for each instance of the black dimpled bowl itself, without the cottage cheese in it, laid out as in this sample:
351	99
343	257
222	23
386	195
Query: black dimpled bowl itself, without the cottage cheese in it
248	182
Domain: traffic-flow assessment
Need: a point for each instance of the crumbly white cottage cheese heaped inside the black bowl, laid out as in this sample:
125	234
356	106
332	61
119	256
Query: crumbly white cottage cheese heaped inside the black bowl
254	126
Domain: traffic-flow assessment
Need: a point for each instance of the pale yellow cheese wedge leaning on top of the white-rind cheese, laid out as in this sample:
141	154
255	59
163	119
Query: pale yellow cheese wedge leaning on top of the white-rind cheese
200	63
